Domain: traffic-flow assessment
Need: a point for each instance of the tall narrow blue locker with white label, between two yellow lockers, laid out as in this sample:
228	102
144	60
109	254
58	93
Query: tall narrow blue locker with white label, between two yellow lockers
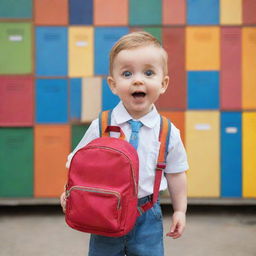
231	170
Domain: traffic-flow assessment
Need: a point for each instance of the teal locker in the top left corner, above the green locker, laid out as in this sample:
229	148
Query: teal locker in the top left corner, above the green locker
12	9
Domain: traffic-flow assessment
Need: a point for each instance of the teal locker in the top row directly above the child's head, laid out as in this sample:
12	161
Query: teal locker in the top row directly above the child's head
145	12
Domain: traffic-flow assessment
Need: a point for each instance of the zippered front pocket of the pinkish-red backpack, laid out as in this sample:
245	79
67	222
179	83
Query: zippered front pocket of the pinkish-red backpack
94	208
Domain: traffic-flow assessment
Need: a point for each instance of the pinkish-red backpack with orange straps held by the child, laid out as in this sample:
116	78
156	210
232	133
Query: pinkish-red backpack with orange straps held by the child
102	187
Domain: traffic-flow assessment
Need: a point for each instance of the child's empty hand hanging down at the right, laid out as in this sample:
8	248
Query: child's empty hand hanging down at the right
178	225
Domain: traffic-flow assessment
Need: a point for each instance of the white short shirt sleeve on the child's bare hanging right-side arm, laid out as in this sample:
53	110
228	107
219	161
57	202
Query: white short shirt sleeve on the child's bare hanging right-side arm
177	158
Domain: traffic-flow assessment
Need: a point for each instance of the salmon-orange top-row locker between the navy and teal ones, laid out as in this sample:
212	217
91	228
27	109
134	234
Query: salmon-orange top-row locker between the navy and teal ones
110	13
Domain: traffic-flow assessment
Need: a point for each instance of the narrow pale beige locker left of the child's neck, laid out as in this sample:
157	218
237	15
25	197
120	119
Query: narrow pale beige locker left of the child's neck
91	95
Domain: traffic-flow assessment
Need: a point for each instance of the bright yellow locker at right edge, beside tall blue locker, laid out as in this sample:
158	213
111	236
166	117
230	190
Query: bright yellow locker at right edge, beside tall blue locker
249	154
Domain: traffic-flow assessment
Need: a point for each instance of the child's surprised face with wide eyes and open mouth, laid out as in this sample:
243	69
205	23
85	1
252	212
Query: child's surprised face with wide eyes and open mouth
138	78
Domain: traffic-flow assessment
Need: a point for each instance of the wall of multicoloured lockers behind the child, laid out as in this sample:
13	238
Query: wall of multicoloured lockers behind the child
53	68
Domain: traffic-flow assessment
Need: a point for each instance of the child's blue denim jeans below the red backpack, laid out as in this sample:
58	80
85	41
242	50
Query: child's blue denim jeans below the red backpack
145	239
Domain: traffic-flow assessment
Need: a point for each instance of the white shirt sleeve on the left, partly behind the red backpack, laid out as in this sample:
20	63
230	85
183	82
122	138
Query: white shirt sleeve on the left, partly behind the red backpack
91	134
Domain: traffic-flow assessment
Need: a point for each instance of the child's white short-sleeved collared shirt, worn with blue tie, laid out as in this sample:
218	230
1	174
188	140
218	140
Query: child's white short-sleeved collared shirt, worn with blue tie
148	147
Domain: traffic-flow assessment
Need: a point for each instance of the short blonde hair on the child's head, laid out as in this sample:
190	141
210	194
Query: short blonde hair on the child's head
136	40
